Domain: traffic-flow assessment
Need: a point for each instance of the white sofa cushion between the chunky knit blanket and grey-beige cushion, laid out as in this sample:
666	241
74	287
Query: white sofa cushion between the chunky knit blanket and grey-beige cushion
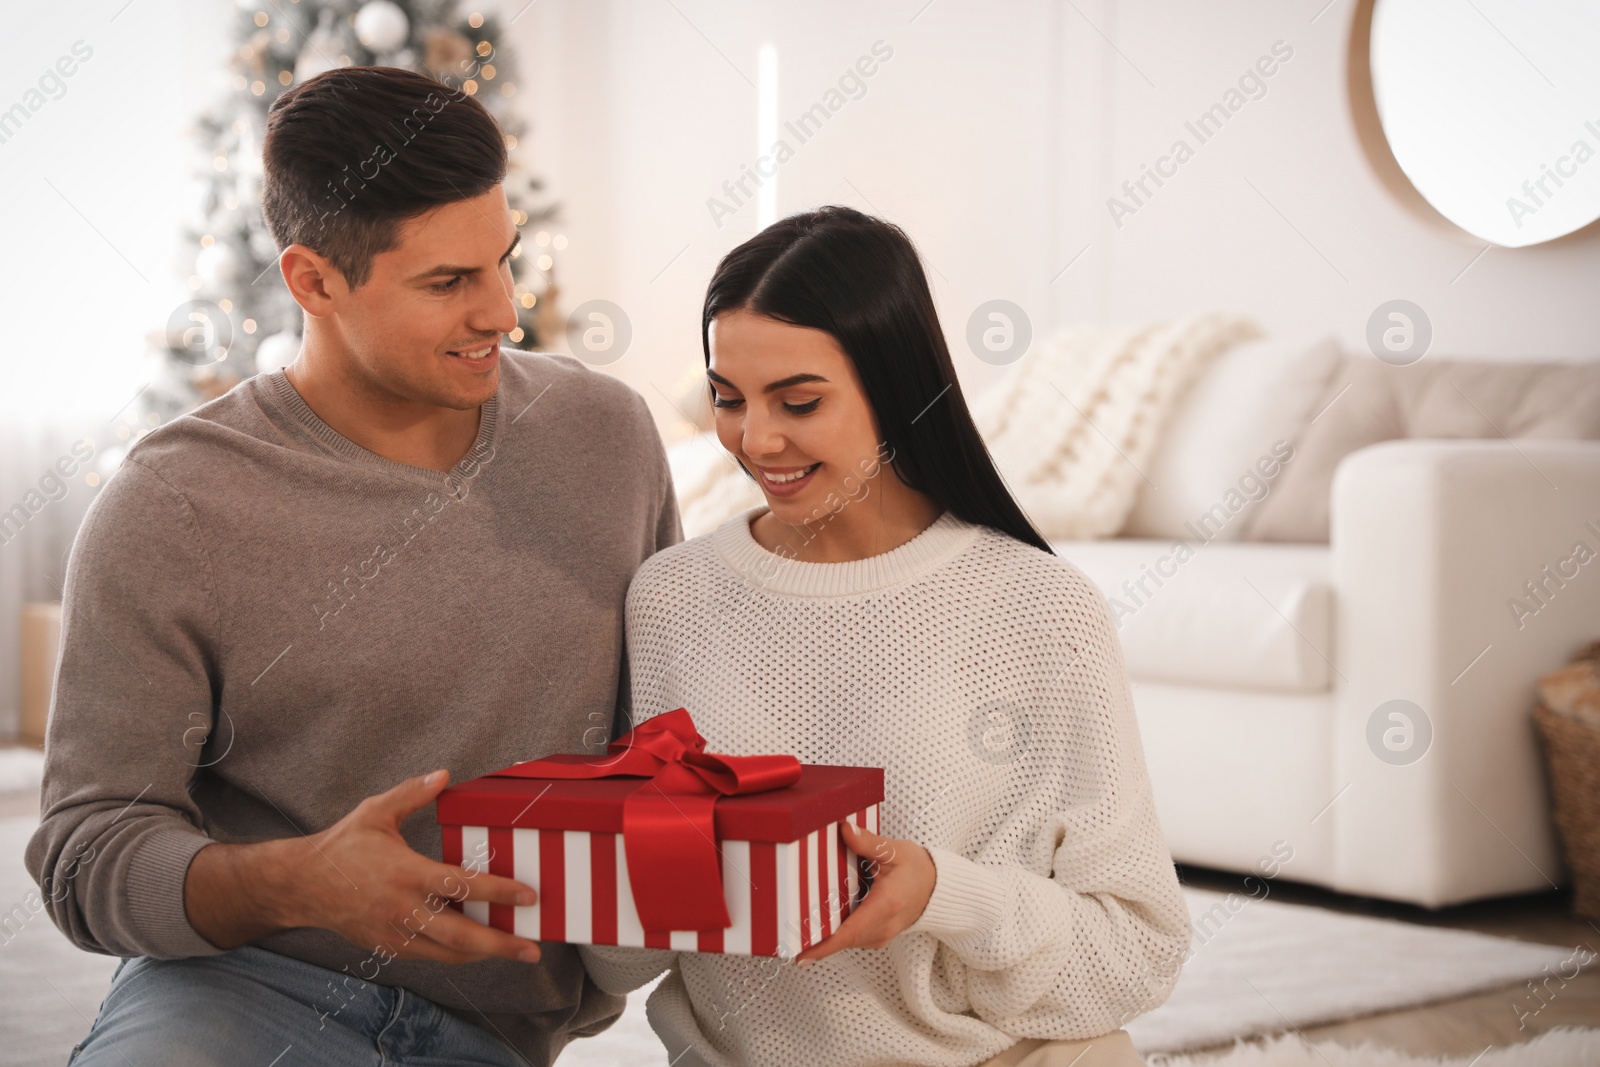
1255	396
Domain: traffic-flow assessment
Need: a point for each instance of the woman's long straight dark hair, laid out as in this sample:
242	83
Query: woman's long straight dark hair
860	281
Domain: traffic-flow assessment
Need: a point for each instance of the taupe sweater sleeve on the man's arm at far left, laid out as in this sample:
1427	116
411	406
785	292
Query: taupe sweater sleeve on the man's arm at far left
135	697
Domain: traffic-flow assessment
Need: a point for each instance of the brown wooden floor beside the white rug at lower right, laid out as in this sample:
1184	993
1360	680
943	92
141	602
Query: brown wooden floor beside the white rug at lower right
1470	1025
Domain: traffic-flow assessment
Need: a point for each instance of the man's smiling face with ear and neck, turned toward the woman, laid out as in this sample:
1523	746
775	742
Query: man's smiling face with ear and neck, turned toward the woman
439	298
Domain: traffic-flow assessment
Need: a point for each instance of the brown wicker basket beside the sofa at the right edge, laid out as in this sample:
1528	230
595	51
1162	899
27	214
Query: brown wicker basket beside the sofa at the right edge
1572	751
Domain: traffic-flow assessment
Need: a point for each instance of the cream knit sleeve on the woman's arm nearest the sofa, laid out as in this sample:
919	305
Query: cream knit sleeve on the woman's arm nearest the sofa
1068	921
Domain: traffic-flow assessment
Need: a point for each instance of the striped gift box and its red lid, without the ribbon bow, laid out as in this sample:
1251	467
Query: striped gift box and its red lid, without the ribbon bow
786	874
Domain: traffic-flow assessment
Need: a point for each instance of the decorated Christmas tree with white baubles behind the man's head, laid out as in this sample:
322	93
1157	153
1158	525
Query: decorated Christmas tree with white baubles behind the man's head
241	319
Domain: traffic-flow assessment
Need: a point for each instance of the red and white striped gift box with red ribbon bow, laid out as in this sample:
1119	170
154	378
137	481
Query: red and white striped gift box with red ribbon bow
658	844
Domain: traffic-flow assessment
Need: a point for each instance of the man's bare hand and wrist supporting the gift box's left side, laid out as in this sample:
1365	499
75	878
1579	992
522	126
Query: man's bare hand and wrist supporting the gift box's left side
361	881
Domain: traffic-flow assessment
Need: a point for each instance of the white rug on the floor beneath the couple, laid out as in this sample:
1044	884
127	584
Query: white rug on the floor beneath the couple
1262	969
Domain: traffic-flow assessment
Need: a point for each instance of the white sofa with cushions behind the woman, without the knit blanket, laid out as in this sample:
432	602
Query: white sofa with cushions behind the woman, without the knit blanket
1258	666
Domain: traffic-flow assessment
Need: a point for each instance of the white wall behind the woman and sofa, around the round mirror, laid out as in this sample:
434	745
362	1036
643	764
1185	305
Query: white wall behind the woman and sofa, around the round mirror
994	137
